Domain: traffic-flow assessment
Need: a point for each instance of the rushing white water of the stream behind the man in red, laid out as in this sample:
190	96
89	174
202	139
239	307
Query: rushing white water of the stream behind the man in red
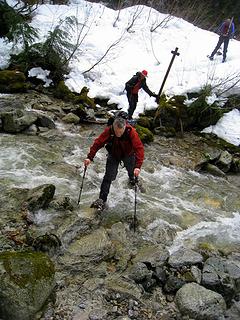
200	207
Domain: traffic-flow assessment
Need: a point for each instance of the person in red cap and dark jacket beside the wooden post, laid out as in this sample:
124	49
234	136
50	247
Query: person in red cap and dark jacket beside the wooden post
132	87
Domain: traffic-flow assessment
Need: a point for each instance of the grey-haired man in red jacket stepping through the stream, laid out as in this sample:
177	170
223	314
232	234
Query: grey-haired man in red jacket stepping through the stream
123	144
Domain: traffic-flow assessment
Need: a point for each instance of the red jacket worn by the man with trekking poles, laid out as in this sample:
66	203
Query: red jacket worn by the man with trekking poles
129	143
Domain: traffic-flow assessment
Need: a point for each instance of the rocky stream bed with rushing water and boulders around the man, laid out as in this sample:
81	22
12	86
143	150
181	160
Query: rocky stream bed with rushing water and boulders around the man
60	260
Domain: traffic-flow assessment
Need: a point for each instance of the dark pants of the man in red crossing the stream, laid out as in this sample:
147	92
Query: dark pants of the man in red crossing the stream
111	173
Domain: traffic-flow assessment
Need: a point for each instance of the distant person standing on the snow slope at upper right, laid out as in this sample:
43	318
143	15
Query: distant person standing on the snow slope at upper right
226	31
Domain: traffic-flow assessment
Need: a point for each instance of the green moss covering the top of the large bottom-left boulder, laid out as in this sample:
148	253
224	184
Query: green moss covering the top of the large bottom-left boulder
25	267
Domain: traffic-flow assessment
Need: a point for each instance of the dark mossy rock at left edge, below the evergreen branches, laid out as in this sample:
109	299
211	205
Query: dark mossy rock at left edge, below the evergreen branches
12	82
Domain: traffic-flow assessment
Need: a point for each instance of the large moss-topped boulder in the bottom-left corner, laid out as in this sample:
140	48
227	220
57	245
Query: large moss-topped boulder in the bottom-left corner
26	281
